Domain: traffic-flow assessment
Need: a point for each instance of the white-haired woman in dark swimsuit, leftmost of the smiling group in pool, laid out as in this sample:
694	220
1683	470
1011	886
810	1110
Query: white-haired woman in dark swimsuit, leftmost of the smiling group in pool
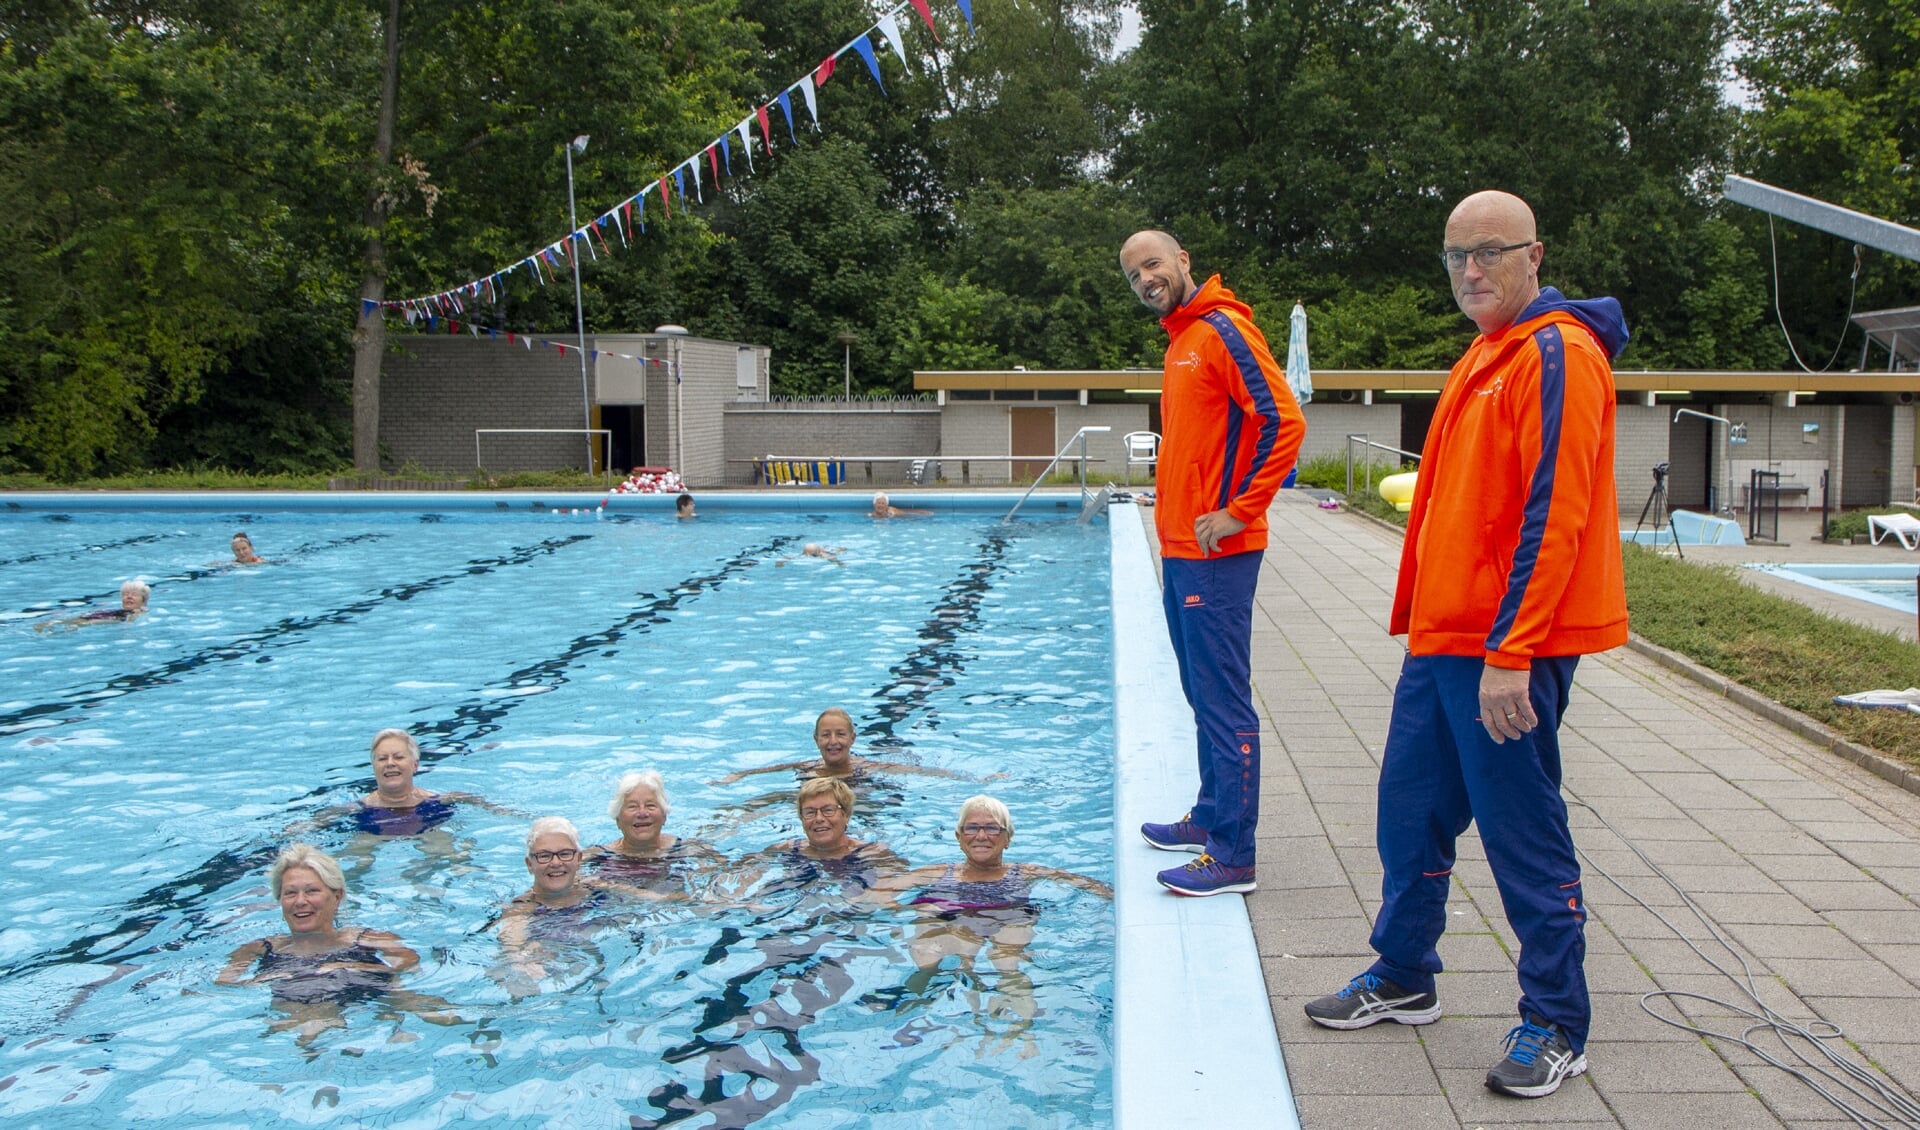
320	968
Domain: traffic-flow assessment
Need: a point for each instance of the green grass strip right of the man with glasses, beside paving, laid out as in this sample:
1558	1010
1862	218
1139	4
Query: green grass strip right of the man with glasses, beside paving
1777	647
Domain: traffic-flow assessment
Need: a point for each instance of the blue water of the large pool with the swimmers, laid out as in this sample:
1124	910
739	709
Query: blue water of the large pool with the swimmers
149	772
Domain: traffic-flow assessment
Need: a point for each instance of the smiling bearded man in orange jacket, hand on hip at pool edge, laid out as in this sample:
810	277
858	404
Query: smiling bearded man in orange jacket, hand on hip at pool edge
1232	435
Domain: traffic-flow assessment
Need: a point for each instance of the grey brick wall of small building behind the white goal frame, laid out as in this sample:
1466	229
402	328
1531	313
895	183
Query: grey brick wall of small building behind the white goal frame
437	390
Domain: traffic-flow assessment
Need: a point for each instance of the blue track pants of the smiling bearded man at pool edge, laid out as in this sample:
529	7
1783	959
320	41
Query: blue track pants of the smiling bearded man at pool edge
1211	617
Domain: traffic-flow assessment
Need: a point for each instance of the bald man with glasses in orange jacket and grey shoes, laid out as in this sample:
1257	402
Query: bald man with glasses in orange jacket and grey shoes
1508	577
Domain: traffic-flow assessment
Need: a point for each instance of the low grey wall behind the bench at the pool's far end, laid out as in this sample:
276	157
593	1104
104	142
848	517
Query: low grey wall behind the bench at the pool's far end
830	429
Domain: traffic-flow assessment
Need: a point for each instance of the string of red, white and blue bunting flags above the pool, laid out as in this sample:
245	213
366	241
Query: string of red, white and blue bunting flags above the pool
629	216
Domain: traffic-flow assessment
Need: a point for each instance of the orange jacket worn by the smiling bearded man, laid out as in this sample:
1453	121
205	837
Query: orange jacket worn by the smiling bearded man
1230	425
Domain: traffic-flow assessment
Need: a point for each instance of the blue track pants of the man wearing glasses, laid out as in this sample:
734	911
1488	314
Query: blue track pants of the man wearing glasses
1443	772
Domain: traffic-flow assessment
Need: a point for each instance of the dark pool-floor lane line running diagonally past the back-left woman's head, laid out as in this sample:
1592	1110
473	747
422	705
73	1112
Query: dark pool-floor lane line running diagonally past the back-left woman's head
151	908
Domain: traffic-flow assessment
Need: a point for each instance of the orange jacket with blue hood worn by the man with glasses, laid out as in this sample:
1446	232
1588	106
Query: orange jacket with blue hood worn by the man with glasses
1514	544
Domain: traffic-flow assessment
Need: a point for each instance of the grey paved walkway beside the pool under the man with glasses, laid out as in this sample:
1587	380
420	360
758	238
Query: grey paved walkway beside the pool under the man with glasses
1808	862
